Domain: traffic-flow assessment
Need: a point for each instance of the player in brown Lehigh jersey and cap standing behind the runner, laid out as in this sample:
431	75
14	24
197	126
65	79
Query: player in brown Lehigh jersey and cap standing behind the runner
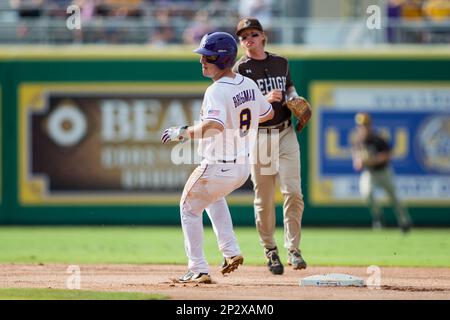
271	74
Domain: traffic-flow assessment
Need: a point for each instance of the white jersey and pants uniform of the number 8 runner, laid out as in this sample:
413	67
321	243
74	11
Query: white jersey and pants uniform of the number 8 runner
237	104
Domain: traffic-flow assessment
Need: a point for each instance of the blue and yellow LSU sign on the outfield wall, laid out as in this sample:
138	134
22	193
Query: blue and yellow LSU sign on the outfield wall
413	118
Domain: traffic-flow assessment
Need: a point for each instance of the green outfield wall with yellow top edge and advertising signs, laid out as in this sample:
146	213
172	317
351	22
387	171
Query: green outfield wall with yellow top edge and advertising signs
81	127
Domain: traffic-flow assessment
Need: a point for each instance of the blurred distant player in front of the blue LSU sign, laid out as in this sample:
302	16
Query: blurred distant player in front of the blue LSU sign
371	155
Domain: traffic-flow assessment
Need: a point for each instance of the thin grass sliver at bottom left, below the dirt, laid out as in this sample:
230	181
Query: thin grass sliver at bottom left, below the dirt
54	294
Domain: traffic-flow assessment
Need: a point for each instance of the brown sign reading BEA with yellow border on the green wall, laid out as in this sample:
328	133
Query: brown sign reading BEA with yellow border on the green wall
100	143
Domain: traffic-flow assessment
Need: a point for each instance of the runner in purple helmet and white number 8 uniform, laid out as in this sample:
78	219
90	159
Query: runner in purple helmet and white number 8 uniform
232	108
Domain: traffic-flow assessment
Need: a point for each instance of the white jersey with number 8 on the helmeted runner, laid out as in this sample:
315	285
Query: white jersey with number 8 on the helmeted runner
237	104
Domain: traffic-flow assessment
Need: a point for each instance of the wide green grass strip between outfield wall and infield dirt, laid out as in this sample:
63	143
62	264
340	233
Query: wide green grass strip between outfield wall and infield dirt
142	245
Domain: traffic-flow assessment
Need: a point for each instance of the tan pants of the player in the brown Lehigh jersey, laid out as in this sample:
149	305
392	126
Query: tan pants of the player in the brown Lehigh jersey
285	161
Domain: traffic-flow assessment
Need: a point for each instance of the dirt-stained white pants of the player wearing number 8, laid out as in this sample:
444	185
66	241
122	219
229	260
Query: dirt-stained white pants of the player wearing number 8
206	189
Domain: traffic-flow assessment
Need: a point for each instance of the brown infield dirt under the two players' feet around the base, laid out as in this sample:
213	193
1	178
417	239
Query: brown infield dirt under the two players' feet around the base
249	282
